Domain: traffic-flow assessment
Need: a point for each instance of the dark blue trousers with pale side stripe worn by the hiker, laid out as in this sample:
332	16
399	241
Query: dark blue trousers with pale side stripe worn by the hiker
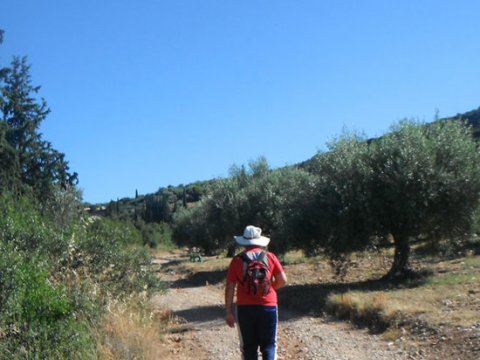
258	329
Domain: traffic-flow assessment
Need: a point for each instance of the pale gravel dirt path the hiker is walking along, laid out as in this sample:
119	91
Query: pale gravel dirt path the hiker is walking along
202	334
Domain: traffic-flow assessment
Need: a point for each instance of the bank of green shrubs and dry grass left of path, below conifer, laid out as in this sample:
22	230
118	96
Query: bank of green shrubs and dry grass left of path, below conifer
55	283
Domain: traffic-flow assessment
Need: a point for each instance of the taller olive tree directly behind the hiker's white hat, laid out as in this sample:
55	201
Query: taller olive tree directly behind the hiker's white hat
265	198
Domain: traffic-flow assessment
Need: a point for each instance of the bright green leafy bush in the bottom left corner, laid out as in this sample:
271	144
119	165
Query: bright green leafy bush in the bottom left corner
37	320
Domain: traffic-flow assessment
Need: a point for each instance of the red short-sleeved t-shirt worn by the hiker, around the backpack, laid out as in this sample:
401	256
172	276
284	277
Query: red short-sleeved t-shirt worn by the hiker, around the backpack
235	274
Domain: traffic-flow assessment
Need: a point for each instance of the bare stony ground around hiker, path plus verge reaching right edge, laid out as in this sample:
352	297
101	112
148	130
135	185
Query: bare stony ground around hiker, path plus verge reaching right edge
198	330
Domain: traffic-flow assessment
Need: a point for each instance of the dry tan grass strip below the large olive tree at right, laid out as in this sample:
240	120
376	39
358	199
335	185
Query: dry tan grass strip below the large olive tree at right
449	296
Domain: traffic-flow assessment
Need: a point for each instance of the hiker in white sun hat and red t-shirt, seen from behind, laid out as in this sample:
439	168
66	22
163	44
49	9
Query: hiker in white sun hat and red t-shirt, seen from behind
256	274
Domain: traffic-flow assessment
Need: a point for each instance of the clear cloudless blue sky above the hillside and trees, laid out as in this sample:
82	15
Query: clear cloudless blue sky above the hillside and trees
150	93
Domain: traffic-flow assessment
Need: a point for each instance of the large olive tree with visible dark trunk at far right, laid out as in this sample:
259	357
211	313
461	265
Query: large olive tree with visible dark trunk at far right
425	181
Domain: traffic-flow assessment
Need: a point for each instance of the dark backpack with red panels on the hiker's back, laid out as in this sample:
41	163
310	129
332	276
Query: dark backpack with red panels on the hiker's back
256	278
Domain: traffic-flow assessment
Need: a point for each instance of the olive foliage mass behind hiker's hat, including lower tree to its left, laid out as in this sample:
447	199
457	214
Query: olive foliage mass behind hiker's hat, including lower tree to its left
256	196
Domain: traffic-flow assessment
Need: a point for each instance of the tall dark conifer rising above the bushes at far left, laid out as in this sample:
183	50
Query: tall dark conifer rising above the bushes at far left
40	166
